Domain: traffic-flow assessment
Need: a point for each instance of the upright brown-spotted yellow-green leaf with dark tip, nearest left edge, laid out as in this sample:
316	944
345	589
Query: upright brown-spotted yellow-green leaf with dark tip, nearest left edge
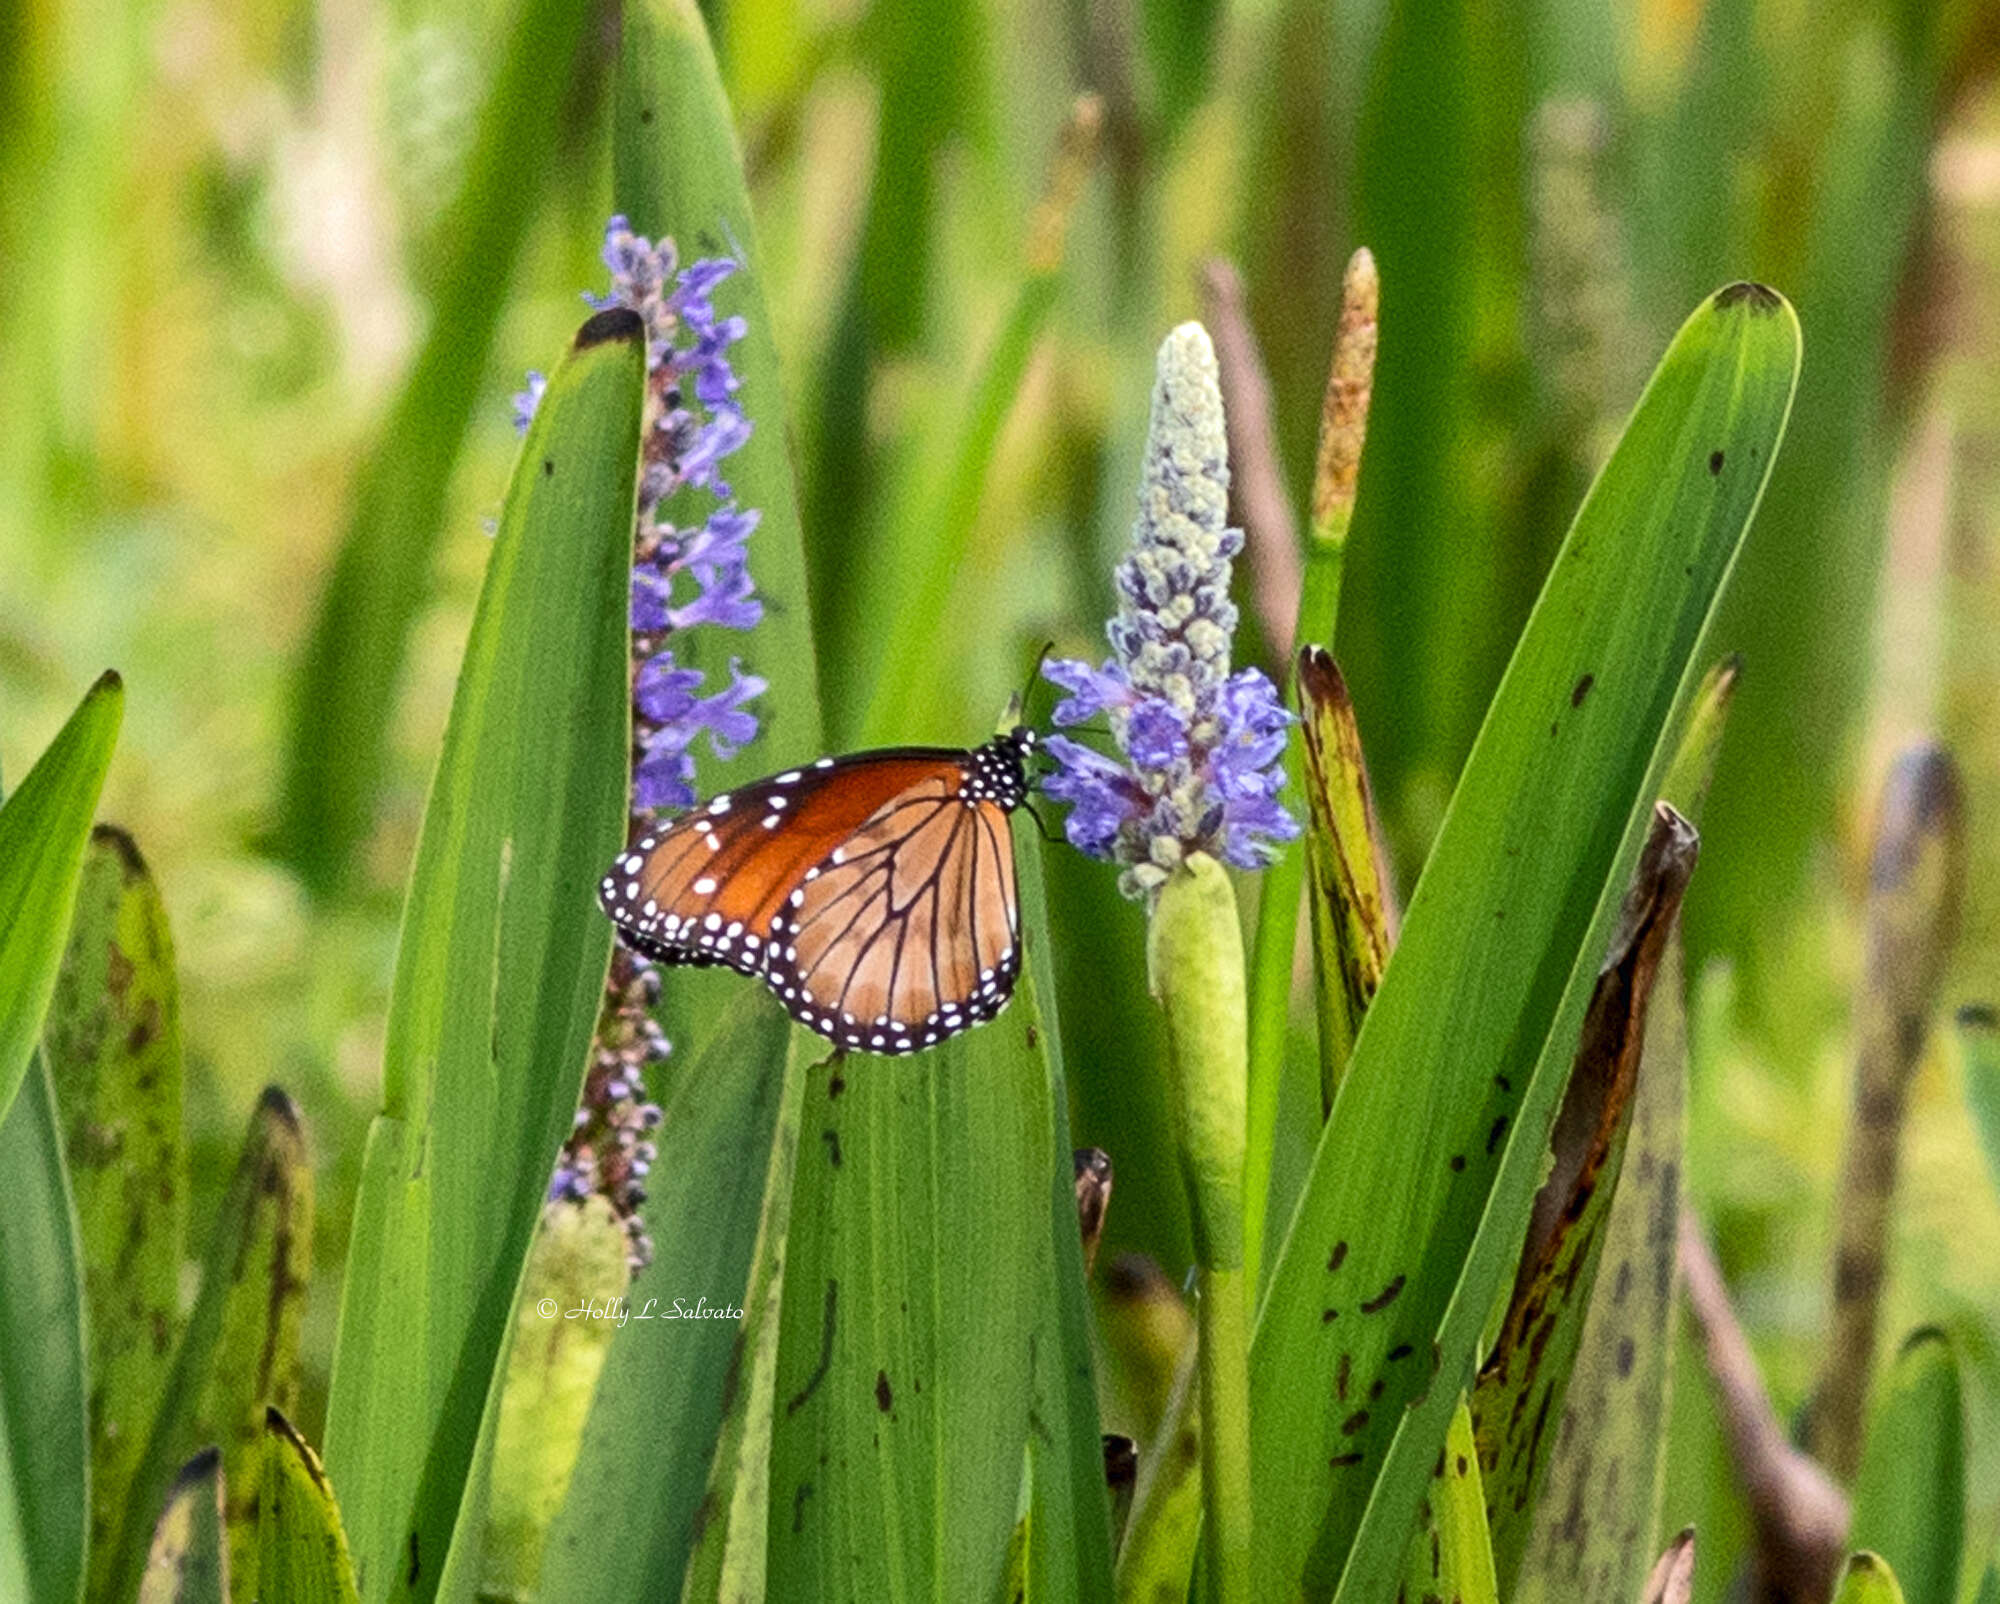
113	1049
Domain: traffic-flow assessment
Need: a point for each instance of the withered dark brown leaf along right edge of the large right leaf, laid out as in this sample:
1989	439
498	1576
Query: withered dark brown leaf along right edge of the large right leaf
1521	1401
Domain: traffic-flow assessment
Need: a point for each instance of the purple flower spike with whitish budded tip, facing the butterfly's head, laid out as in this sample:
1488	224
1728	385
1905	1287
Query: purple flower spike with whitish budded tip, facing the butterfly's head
1201	745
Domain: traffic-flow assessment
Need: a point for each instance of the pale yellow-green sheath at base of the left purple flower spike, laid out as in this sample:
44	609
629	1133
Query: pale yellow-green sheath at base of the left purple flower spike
571	1303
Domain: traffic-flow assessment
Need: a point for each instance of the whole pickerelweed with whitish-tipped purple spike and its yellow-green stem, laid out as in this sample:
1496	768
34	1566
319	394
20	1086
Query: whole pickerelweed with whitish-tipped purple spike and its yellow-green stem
1199	789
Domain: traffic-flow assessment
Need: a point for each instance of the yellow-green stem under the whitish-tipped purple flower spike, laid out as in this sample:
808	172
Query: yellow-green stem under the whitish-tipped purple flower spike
1197	963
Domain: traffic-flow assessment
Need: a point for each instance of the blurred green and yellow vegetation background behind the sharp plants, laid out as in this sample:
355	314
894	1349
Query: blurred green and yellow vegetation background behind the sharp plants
225	233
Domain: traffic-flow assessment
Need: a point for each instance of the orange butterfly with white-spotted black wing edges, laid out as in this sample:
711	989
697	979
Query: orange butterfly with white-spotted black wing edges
873	893
